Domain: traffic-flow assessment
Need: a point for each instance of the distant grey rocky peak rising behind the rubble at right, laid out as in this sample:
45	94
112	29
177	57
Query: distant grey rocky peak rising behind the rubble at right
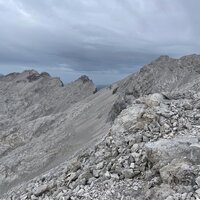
164	74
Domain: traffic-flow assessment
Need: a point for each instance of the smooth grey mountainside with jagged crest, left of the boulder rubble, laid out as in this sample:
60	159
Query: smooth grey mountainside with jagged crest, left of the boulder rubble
43	122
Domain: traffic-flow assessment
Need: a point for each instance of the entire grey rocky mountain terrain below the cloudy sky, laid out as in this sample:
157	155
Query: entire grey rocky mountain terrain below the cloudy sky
137	139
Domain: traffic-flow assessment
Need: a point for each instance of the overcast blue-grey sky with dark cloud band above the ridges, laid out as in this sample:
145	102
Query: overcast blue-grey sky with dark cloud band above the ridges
104	39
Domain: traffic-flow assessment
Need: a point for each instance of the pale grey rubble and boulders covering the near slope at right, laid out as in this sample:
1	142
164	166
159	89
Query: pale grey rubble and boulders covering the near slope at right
152	151
